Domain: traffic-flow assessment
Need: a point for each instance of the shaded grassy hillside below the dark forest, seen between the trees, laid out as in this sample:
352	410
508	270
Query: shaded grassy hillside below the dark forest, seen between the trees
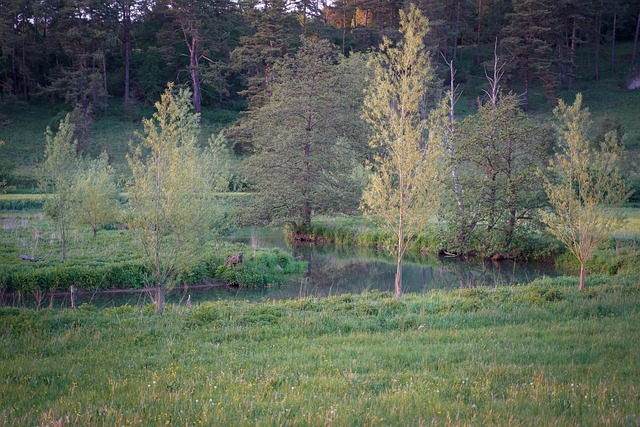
23	125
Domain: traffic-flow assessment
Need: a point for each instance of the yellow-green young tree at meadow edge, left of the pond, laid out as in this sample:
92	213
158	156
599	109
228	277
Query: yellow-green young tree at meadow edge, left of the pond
168	189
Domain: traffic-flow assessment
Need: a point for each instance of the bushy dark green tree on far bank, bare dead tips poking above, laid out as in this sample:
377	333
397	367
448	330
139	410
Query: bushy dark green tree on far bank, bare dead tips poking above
495	191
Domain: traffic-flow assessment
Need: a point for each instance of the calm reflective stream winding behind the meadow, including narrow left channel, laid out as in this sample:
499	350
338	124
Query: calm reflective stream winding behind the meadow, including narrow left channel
332	271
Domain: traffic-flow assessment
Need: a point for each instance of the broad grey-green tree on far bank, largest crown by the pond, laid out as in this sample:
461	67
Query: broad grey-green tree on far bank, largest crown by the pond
308	137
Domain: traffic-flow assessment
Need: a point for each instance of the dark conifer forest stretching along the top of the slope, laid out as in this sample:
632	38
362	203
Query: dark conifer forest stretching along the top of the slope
86	52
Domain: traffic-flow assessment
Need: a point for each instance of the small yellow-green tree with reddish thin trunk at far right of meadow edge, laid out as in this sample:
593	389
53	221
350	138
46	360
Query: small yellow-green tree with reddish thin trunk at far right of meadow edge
583	183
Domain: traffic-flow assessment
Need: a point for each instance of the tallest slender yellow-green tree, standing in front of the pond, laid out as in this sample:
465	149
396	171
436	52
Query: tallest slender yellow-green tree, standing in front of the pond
402	193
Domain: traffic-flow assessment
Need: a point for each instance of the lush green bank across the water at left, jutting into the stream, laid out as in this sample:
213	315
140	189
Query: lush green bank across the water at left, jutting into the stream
113	258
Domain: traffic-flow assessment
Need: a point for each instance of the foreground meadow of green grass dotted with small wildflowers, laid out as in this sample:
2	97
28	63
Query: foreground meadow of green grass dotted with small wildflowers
541	354
